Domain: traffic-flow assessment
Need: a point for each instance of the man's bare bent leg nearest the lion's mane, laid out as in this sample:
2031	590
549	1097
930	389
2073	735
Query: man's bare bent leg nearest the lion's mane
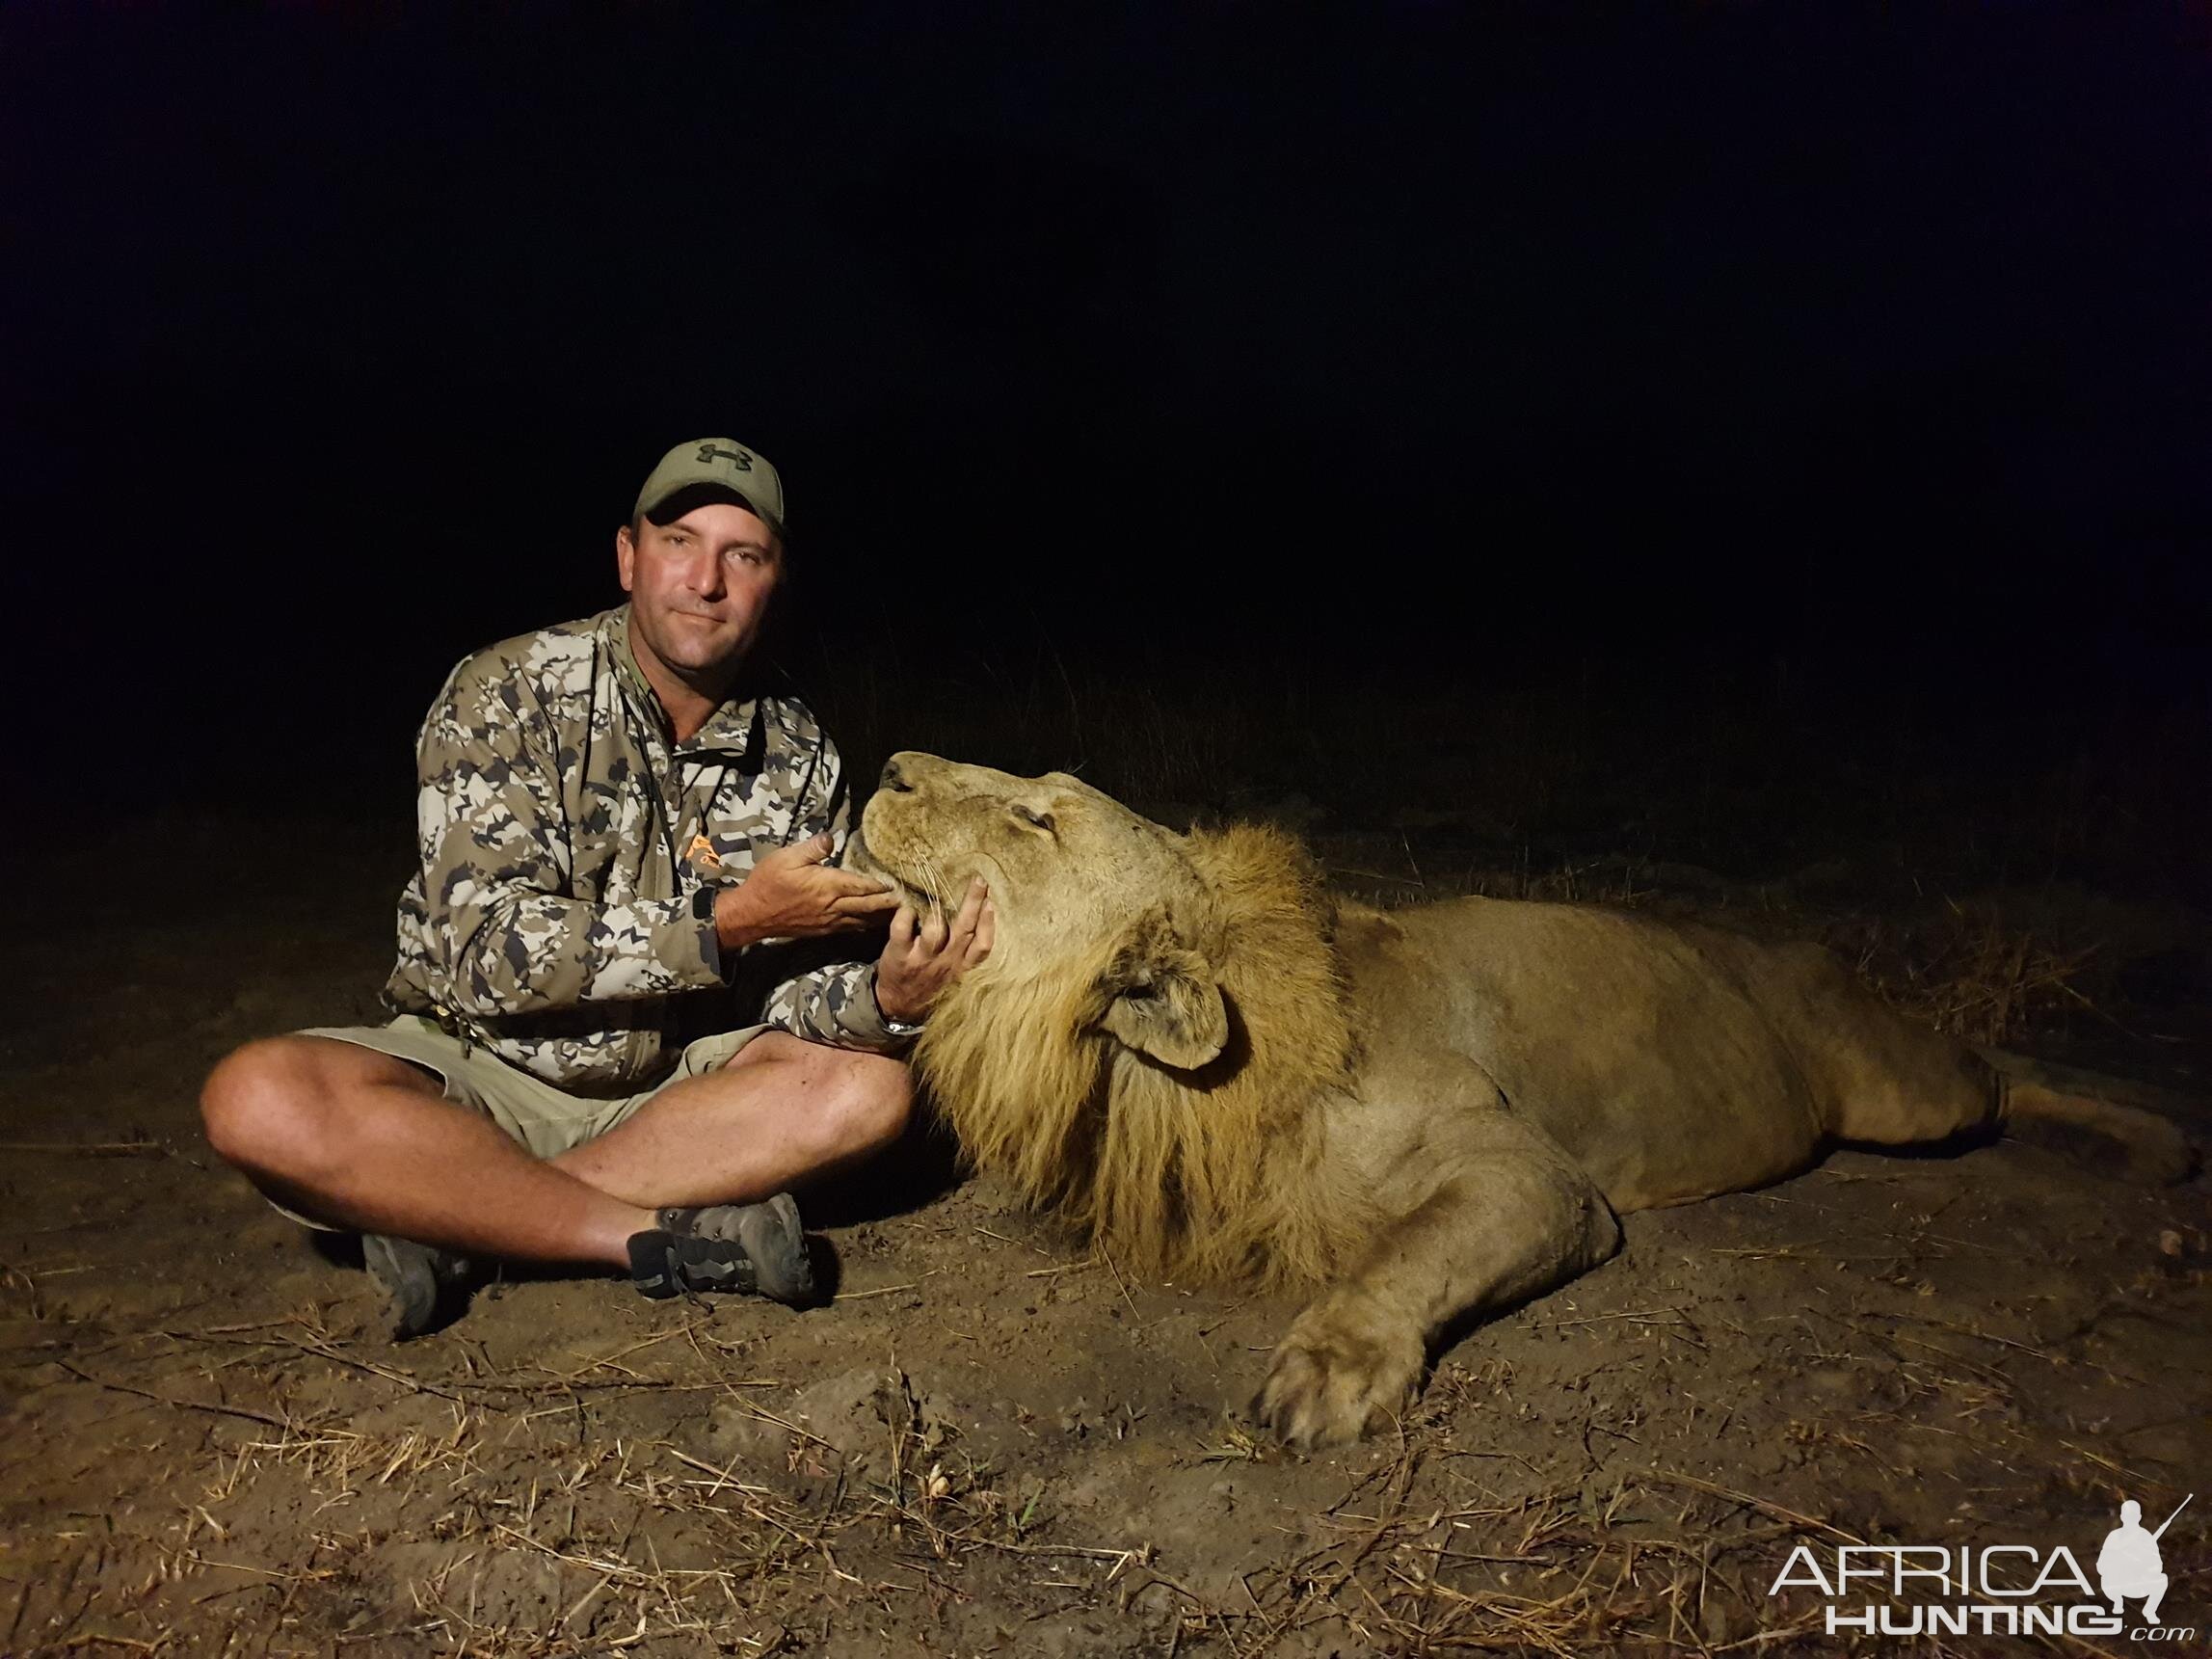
782	1112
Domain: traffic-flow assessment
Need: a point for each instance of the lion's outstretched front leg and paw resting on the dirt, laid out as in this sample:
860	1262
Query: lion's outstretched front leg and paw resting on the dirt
1507	1220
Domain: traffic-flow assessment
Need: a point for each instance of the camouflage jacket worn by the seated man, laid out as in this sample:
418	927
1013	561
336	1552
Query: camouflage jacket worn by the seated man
567	842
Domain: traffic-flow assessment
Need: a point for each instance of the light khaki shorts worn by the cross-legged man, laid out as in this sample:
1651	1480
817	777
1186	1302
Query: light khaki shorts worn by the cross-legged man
547	1120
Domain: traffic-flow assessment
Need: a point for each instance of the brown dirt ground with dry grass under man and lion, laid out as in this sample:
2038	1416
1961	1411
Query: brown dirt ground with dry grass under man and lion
992	1441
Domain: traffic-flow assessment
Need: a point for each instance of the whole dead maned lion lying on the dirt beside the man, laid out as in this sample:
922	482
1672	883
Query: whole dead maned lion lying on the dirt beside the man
1187	1047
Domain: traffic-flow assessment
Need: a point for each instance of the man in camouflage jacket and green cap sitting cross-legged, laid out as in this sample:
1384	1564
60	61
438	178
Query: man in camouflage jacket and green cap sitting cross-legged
618	828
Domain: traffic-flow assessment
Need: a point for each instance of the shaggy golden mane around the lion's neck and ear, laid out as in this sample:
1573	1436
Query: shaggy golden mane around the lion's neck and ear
1182	1176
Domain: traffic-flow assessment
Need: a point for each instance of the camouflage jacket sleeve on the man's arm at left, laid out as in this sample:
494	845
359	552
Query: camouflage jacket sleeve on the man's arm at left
505	926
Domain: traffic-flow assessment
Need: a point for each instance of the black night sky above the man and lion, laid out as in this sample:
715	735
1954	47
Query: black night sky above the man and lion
1866	337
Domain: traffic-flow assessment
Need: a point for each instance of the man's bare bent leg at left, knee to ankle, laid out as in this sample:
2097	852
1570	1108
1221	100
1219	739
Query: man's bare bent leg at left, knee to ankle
366	1140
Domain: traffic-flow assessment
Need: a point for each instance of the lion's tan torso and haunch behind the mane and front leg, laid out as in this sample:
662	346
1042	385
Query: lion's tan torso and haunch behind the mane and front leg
1671	1063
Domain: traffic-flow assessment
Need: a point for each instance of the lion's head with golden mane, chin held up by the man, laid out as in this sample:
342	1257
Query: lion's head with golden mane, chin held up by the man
1147	1045
